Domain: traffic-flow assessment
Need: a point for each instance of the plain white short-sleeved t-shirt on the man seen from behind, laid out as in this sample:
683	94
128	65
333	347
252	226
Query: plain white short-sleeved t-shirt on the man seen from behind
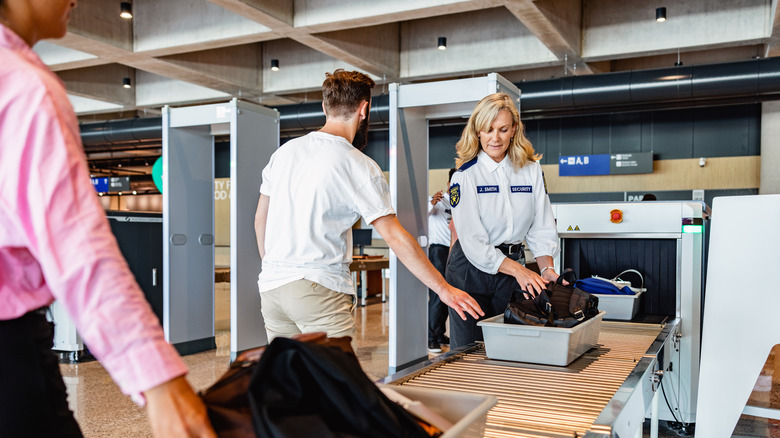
319	185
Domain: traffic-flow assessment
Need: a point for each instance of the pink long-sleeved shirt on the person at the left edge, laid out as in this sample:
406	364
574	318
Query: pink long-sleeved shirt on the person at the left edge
55	241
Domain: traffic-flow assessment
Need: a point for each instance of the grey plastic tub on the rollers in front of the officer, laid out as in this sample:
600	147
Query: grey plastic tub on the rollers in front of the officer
541	345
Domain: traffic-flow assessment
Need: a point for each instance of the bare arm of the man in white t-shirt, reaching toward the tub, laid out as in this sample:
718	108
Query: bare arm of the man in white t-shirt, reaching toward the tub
413	257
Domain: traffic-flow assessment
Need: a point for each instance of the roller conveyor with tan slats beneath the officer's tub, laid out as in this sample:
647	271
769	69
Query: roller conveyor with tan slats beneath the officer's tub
544	401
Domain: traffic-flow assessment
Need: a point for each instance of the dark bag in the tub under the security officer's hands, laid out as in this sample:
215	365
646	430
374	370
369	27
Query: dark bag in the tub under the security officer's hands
555	306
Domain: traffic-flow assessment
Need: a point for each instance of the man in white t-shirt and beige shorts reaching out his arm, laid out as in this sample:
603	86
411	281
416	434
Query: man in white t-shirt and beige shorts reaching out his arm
314	189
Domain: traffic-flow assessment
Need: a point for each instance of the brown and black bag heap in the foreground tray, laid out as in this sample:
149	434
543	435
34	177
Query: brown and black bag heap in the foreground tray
310	386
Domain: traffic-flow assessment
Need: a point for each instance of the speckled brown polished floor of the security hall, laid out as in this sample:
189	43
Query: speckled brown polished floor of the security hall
104	412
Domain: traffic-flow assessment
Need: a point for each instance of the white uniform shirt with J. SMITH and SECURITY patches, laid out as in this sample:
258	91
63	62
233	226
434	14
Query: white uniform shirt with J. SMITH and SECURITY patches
494	203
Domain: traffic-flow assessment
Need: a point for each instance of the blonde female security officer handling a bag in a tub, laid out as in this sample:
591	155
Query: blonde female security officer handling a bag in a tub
498	199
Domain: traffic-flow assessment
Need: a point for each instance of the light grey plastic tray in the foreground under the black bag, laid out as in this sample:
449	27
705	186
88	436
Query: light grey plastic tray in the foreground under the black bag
466	411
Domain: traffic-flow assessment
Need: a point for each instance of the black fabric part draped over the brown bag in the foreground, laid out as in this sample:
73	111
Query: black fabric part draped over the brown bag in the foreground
307	390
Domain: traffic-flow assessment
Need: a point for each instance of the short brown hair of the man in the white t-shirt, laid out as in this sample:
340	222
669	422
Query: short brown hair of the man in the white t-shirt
343	91
